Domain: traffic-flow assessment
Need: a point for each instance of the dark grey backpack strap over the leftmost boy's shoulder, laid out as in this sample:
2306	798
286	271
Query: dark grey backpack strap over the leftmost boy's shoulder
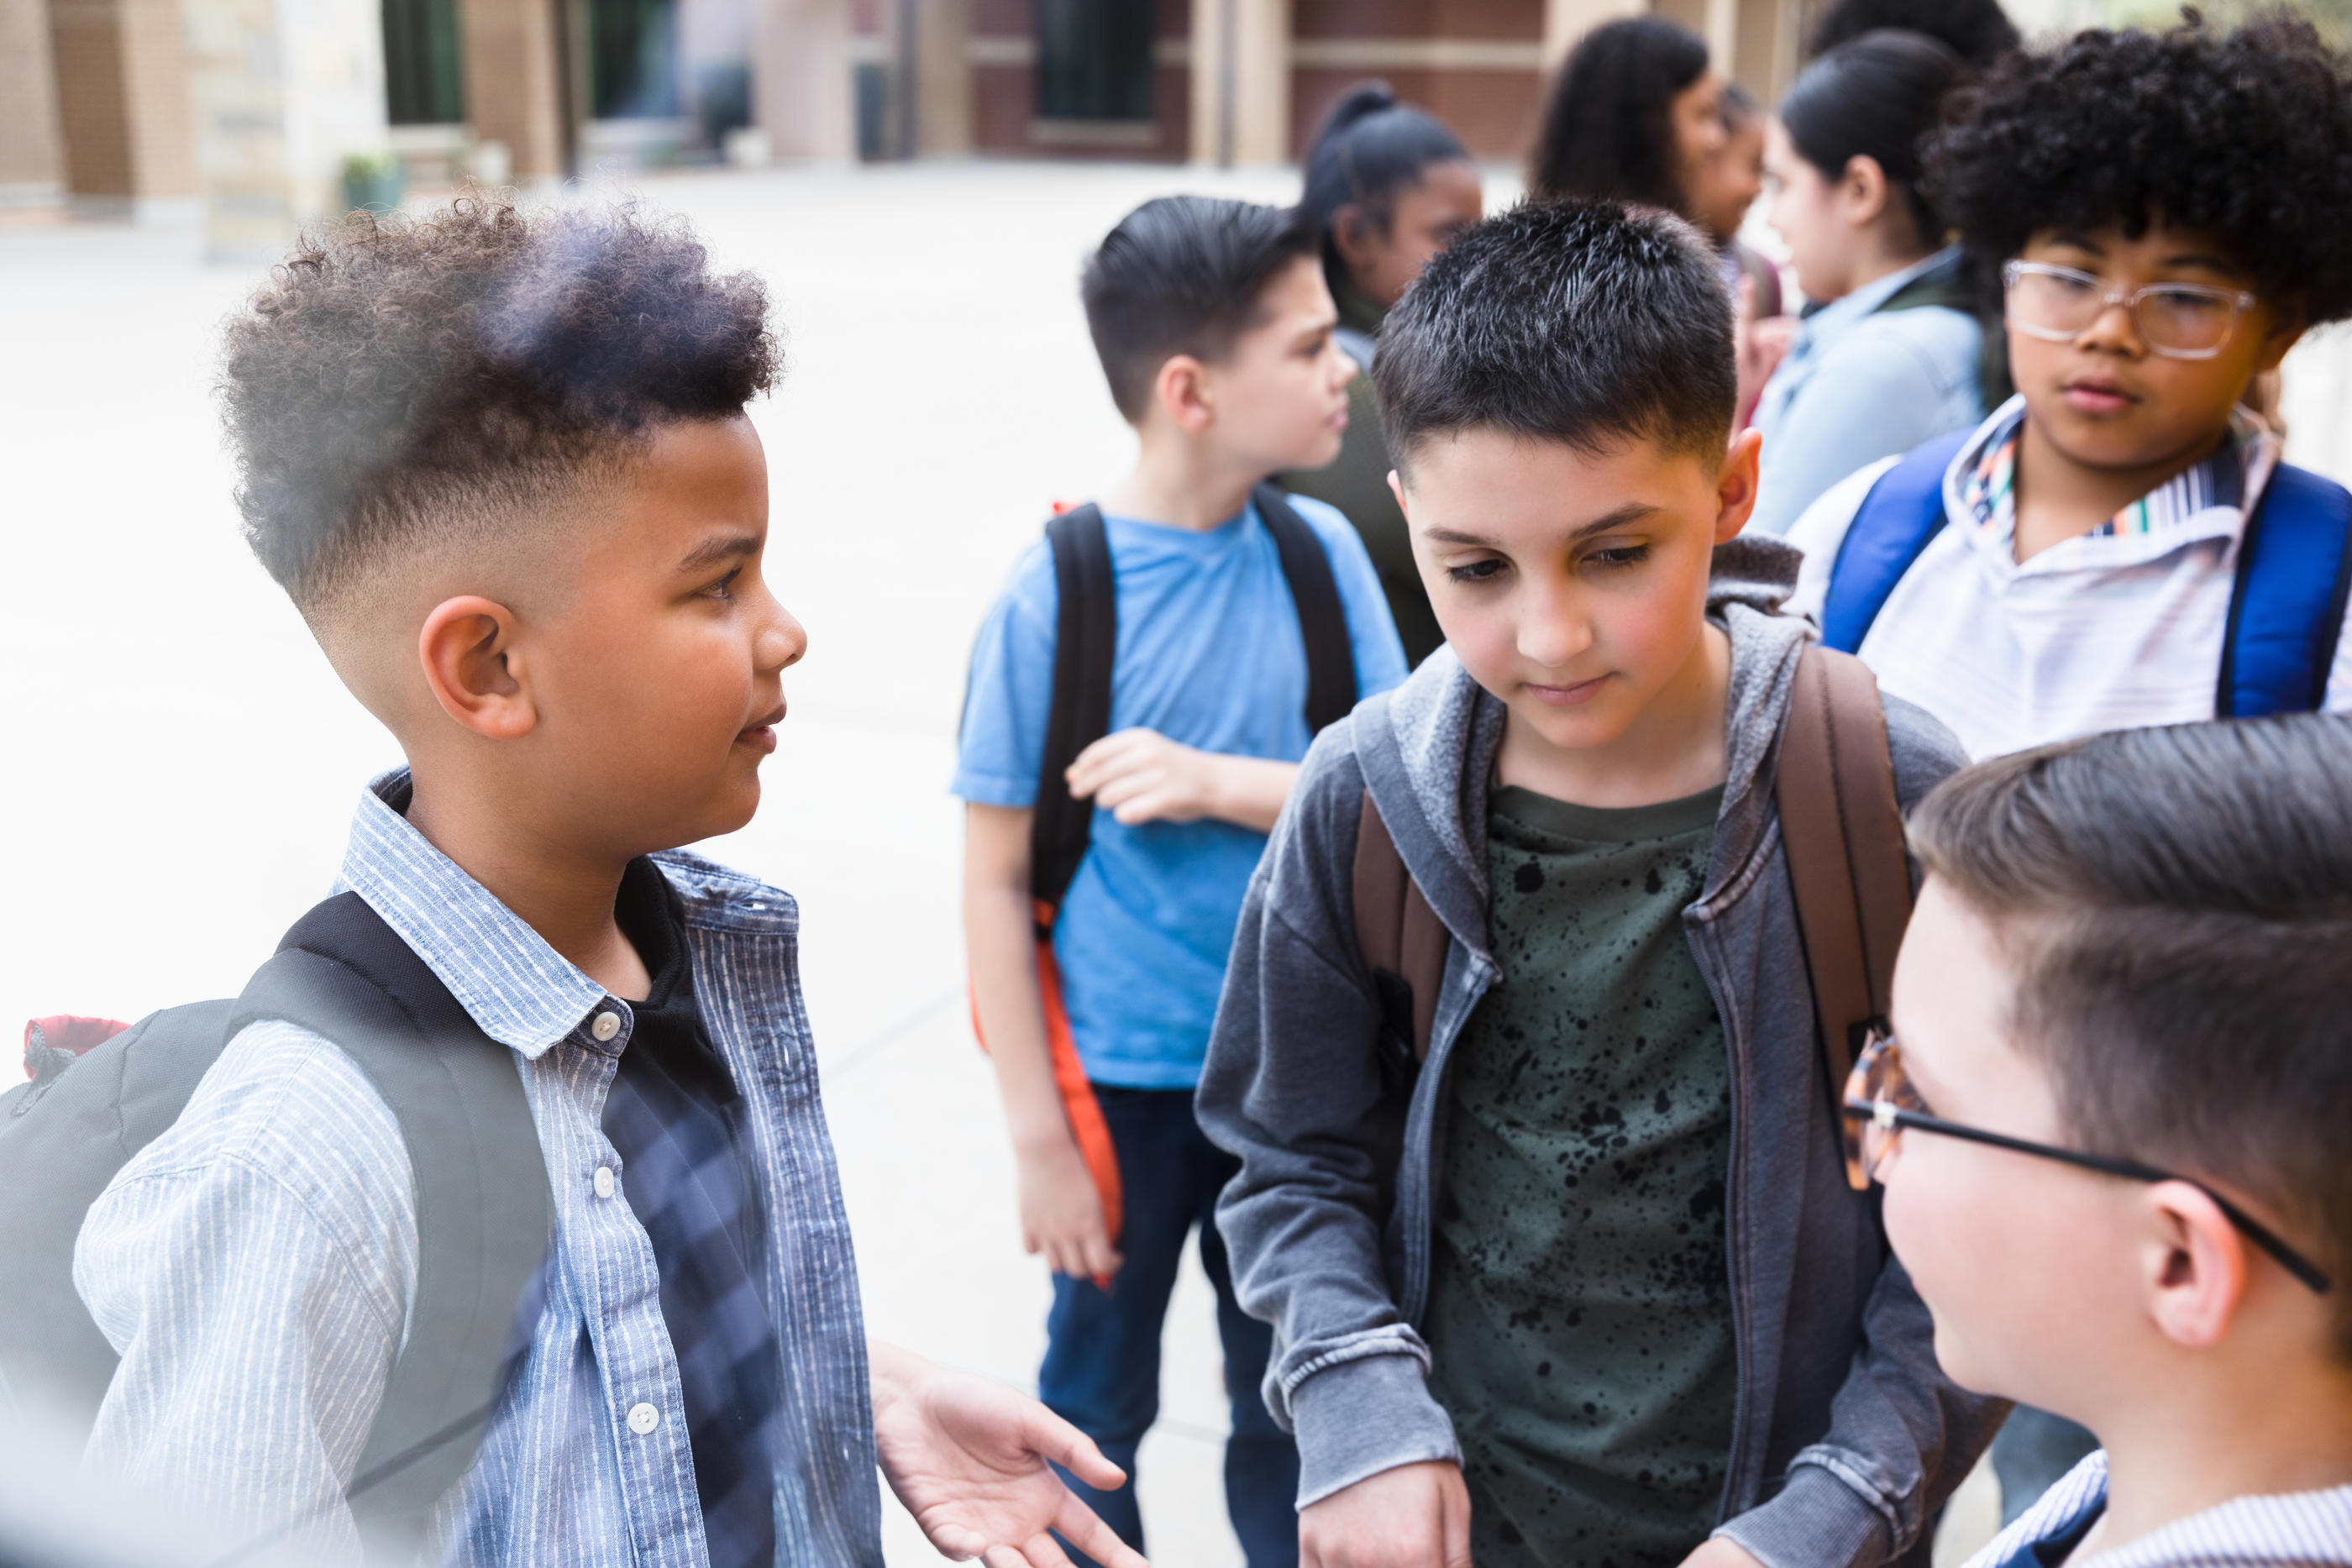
483	1207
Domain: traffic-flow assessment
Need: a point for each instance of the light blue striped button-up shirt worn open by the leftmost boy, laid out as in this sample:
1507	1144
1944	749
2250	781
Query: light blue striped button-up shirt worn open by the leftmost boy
258	1261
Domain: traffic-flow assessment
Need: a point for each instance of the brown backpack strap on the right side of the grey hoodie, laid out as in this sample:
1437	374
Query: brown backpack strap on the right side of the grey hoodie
1843	829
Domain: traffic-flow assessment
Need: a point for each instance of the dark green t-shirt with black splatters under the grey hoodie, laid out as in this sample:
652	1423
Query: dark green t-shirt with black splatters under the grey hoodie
1579	1304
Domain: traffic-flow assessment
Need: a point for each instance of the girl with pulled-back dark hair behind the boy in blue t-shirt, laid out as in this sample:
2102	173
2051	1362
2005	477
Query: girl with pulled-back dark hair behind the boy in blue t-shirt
1391	189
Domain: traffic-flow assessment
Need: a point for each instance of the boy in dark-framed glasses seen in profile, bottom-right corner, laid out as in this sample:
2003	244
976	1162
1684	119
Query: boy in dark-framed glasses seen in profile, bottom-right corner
2109	1125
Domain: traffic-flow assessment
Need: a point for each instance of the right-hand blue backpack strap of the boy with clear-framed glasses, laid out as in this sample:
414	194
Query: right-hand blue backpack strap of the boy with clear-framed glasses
2287	605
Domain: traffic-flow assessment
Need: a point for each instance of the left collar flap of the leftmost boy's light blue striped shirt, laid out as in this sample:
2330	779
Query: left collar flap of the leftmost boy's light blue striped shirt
512	984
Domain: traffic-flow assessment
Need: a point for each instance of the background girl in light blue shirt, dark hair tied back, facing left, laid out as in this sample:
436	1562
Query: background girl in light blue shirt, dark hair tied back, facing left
1892	349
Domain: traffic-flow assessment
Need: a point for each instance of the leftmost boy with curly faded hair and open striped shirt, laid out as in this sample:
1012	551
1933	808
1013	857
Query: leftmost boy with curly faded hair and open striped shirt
505	469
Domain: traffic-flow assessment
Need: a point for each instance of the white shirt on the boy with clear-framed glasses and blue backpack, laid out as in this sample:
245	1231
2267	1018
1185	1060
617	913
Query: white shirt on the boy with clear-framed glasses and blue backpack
2109	631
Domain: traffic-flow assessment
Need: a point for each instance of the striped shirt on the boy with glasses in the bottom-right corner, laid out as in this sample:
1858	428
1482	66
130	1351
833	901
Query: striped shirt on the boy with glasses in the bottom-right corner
2266	1532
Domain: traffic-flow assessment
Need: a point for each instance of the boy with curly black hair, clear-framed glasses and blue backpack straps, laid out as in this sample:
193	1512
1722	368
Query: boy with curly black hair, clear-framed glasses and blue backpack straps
2120	544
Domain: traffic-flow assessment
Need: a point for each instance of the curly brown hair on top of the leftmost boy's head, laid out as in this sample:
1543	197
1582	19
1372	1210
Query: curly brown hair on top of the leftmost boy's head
408	377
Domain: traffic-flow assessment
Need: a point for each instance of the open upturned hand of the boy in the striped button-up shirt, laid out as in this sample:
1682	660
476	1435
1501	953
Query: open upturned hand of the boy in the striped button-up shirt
973	1463
